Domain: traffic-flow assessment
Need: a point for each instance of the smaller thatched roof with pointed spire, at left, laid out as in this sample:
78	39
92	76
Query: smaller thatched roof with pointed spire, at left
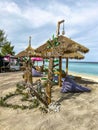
28	52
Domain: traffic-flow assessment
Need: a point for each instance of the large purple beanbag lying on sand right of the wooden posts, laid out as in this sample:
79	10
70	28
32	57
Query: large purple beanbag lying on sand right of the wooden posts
70	85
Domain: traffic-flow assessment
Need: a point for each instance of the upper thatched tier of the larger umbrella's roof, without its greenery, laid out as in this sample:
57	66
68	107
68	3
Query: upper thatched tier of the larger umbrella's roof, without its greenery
66	45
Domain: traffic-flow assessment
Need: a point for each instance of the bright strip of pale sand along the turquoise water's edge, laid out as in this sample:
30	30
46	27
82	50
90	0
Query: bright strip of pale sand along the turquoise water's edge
86	76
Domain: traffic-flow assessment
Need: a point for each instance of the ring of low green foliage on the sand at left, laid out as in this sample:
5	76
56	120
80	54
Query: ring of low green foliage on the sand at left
25	97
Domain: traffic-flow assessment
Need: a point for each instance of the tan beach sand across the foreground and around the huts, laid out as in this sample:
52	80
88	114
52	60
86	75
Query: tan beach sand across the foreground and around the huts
78	111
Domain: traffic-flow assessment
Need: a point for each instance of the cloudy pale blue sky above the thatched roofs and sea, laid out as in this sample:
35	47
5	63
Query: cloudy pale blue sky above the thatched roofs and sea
38	18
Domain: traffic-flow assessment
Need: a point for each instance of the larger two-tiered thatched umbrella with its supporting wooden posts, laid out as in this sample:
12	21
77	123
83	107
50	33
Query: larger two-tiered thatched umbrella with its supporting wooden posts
61	47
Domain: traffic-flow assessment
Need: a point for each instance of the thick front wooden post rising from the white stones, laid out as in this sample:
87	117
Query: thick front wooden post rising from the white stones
50	78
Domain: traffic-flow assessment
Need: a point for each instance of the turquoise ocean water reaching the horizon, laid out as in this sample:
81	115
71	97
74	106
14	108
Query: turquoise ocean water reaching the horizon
89	68
